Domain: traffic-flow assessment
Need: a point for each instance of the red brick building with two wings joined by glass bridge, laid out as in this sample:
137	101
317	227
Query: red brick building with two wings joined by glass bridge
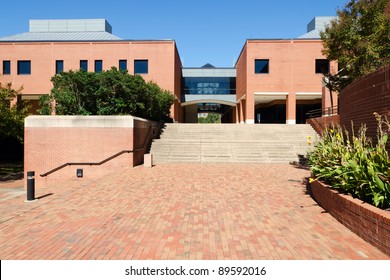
274	81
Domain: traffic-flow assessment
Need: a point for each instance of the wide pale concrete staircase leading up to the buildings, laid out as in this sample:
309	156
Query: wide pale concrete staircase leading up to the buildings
264	143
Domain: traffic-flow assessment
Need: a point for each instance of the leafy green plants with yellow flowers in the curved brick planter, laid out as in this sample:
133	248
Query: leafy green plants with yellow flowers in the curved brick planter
355	166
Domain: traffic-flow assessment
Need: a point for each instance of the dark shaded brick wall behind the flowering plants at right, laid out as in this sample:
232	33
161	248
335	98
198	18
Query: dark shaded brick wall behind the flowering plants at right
362	98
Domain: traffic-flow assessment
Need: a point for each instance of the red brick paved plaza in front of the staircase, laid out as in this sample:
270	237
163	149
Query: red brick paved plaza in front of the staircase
177	211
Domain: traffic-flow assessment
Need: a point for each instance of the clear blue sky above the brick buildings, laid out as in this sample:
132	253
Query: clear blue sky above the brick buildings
206	31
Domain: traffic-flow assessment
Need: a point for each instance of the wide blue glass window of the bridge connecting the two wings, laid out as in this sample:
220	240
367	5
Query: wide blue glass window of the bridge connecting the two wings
209	85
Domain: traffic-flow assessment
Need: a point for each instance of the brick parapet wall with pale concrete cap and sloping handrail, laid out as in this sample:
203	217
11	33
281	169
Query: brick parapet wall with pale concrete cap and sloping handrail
51	141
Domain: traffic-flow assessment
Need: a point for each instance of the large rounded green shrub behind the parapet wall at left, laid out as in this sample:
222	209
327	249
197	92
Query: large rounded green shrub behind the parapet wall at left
111	92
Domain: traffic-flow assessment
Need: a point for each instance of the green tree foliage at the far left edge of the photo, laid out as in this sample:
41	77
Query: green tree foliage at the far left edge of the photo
11	117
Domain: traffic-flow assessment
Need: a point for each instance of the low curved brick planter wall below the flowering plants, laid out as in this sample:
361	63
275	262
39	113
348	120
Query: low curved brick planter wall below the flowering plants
370	223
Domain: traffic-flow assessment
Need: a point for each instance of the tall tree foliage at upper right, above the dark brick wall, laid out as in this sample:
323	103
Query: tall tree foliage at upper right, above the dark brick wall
359	39
